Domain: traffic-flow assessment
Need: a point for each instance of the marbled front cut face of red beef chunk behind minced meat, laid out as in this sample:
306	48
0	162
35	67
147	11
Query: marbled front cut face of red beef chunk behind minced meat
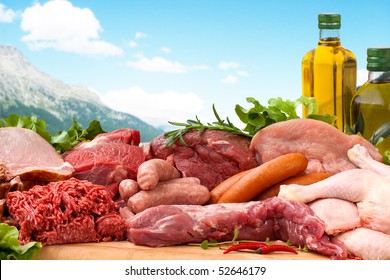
106	164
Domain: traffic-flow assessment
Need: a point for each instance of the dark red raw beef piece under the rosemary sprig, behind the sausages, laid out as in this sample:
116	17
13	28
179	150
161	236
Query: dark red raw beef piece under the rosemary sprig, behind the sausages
210	155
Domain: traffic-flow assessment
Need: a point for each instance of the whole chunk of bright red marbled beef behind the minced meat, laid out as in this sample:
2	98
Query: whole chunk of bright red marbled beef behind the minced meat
108	159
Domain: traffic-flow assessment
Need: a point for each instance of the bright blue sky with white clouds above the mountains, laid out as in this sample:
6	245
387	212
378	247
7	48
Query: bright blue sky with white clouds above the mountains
170	60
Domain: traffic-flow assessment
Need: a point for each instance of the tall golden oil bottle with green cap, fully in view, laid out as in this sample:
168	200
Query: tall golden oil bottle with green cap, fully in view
329	72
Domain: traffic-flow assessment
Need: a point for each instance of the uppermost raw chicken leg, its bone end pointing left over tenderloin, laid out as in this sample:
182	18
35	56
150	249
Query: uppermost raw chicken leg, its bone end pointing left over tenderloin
368	190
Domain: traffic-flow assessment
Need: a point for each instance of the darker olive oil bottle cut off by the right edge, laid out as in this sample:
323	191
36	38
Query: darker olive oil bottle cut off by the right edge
370	108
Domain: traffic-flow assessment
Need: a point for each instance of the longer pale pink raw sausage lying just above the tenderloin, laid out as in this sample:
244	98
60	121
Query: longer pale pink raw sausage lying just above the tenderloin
177	191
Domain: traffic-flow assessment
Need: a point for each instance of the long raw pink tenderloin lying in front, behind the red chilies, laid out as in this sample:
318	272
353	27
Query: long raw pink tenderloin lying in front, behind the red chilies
273	218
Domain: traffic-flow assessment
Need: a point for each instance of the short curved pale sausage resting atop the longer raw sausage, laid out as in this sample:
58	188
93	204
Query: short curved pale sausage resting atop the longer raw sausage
152	171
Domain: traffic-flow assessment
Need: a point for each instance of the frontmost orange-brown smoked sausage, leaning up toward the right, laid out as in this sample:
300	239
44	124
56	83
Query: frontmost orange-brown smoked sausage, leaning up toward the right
264	176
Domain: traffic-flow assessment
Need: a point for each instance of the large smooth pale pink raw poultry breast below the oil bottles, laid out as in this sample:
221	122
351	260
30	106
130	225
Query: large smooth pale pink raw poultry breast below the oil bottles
324	146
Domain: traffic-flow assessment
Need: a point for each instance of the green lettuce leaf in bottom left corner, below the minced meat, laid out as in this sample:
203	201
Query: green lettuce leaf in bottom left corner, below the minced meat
10	249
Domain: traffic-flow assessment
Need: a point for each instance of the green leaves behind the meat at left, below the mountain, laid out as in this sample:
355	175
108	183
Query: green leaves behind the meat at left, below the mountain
63	140
